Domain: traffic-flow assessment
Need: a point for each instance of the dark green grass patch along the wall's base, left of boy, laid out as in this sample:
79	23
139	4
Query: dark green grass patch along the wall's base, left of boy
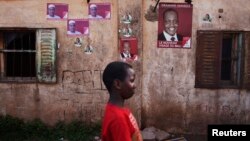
14	129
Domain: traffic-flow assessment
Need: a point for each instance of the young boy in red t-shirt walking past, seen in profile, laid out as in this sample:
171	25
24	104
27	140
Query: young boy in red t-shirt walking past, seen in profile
119	124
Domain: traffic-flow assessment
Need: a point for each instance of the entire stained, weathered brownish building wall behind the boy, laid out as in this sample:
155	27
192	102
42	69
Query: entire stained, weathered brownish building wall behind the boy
165	76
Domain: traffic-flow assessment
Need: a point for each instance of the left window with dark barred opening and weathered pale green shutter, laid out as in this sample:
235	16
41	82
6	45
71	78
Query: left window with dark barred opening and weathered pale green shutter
27	55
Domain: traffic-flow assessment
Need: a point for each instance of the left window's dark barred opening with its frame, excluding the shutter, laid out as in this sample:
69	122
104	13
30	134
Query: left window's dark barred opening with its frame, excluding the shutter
18	55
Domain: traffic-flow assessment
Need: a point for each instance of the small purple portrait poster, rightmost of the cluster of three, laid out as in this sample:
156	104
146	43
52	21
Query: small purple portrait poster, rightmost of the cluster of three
99	11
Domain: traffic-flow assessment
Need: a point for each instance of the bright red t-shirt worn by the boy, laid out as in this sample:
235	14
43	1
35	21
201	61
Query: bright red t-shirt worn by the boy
119	125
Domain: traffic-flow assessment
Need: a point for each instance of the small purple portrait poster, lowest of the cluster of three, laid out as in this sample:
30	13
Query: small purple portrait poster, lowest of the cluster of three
77	27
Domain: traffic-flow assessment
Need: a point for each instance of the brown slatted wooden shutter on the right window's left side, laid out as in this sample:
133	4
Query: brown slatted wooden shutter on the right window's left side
208	59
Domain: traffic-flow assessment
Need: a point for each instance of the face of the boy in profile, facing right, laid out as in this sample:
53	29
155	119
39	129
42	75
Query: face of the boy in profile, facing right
128	86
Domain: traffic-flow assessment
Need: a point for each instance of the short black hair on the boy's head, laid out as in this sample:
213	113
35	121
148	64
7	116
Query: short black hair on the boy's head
114	70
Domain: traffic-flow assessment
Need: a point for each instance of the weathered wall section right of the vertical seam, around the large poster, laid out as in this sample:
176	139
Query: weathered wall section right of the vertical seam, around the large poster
170	100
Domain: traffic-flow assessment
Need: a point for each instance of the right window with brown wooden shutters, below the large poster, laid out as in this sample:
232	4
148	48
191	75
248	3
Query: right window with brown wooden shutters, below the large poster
222	59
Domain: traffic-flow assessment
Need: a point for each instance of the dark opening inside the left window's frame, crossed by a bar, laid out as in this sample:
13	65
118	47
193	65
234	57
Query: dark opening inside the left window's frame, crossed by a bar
20	55
